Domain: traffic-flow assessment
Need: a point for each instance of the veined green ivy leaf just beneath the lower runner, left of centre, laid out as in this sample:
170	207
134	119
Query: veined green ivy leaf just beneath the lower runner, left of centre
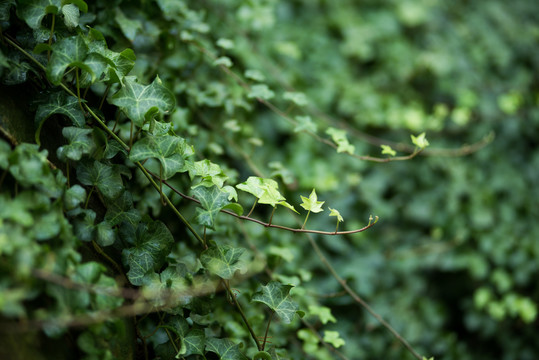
222	261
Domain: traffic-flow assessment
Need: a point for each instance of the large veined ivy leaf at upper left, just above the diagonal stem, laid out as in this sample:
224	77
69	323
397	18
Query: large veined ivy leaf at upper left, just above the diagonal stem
67	52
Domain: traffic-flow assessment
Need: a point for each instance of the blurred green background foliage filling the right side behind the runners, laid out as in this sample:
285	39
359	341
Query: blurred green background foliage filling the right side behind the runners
452	264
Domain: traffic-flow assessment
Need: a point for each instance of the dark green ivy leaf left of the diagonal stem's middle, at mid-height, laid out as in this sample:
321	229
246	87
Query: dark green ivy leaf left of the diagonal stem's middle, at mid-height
105	177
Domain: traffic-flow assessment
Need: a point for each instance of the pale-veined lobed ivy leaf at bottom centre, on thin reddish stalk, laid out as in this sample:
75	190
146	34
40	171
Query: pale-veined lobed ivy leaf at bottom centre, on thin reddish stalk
276	296
